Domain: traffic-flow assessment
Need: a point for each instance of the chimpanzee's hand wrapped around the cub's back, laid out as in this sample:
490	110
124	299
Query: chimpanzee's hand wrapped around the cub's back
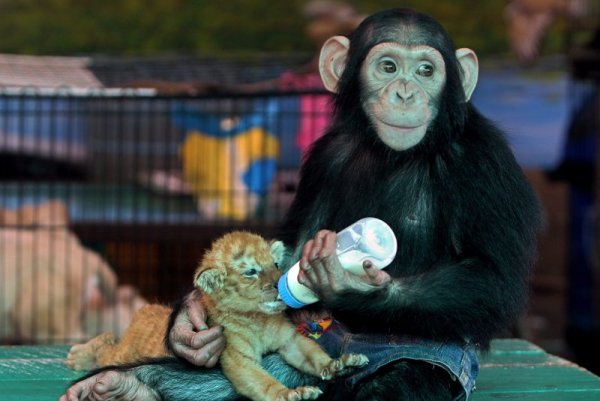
191	338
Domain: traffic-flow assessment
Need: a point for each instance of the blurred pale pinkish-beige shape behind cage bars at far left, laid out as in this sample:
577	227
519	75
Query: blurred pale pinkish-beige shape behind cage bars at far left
52	288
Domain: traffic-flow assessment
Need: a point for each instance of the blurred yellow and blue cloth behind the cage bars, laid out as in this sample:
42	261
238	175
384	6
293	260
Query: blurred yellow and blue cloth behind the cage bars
229	161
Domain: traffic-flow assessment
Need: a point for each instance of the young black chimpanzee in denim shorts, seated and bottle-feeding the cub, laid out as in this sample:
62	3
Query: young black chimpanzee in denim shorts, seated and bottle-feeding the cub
405	146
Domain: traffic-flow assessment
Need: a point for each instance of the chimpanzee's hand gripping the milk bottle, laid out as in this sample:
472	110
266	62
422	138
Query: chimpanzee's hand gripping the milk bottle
321	271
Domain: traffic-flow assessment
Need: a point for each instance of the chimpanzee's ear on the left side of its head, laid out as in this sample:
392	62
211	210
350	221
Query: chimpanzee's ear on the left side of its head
332	61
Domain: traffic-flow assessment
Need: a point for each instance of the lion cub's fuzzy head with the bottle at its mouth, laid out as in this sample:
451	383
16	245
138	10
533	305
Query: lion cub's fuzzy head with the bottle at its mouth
239	273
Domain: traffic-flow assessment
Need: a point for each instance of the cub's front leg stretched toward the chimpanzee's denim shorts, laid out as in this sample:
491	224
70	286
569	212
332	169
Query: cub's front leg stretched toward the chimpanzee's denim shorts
306	355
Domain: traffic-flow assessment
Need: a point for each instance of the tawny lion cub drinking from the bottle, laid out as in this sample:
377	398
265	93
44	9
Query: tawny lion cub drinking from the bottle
237	278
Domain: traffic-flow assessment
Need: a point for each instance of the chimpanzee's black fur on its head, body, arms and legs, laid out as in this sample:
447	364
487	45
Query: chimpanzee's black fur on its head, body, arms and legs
464	215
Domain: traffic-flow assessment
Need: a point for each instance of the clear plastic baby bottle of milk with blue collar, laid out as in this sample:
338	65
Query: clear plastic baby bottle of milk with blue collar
369	238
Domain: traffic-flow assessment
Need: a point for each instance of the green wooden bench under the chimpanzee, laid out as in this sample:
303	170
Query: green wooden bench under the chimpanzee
513	370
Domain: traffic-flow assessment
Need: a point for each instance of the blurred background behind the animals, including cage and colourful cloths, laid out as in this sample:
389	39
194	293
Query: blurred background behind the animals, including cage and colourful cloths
133	133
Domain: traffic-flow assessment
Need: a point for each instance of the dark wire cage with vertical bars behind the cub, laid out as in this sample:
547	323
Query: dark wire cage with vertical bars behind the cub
108	198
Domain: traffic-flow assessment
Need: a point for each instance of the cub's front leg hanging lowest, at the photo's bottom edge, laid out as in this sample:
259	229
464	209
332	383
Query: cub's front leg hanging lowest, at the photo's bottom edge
251	380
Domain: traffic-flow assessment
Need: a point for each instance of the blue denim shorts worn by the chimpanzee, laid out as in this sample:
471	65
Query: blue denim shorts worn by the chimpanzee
459	360
